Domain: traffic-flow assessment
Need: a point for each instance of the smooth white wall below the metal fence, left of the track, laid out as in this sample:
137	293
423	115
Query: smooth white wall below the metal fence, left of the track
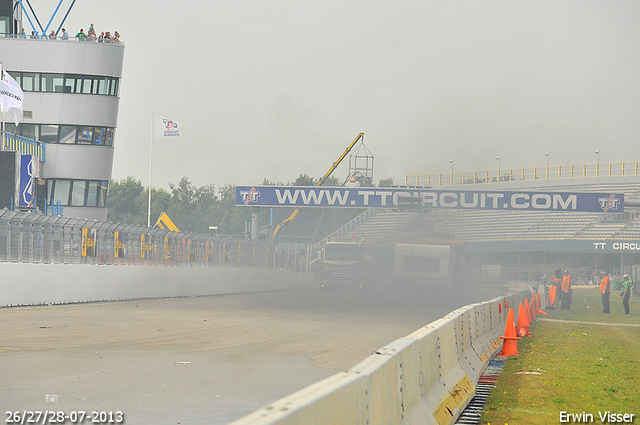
32	284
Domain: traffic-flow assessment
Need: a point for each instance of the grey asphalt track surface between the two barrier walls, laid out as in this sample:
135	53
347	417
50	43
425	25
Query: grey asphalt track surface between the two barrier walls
204	359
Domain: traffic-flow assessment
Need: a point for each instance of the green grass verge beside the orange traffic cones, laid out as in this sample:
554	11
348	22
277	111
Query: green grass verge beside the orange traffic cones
583	368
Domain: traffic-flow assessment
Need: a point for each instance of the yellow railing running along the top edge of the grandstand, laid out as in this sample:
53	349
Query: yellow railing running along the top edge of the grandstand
612	169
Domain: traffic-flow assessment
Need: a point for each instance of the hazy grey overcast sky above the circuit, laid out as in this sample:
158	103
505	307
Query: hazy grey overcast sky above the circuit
275	89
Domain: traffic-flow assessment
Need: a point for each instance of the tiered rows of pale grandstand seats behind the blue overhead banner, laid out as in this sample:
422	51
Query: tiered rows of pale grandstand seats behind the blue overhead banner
391	227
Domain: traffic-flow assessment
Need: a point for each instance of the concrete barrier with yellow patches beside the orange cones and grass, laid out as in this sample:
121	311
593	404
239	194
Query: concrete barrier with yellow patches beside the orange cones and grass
425	378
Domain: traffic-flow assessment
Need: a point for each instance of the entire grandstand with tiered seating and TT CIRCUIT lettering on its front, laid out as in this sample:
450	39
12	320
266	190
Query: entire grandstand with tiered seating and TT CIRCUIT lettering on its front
528	239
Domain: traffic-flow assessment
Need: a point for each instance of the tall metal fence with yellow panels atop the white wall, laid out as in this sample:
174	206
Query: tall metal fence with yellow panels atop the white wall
29	237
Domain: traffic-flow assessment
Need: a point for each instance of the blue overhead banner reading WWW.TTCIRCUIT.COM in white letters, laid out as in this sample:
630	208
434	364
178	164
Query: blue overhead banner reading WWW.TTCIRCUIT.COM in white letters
291	196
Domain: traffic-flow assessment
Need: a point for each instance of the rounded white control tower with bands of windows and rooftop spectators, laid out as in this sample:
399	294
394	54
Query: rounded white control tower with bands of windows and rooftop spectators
71	96
